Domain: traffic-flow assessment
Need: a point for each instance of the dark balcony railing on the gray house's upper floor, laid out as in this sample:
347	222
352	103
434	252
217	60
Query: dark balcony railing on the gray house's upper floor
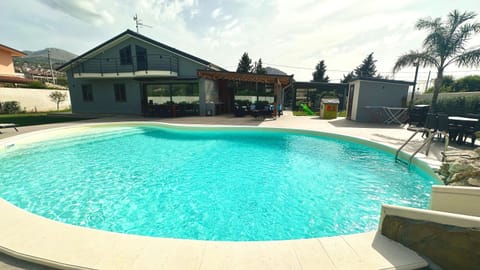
149	65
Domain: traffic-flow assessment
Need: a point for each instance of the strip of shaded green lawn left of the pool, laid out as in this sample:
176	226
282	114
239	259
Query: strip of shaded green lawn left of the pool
30	119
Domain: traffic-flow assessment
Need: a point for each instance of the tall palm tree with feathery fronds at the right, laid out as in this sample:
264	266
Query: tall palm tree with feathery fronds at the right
444	45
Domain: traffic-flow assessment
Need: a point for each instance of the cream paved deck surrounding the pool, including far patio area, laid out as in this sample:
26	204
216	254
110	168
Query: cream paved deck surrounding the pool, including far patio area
34	238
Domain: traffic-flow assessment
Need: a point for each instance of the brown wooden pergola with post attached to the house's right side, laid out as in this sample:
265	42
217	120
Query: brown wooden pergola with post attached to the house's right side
279	82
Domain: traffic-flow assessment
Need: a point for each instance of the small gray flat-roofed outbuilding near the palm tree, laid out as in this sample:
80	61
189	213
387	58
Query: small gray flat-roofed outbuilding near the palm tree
369	98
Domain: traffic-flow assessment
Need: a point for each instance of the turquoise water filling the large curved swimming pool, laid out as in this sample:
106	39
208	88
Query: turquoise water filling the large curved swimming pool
209	184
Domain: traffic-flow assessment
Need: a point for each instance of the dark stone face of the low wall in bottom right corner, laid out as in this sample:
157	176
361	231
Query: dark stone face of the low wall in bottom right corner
448	247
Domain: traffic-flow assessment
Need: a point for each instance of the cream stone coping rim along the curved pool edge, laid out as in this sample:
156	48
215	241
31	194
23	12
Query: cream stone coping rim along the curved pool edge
37	239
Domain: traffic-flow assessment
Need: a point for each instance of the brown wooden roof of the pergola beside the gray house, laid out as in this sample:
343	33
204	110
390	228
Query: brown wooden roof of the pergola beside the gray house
246	77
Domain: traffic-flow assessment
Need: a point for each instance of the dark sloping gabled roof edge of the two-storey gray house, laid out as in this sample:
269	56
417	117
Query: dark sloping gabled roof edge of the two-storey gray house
129	33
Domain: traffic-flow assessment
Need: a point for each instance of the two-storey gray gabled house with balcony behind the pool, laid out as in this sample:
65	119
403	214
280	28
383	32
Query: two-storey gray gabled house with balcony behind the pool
133	74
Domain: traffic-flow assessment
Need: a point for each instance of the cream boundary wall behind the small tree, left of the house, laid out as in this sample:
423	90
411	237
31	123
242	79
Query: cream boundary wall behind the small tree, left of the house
33	100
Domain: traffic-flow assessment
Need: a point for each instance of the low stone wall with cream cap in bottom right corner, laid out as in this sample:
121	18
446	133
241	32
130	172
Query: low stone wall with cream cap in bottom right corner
449	240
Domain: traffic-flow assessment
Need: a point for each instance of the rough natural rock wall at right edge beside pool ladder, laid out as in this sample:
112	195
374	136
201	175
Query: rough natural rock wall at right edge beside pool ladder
461	168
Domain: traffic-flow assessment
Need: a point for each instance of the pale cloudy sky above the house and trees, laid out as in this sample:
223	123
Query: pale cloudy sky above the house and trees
289	35
